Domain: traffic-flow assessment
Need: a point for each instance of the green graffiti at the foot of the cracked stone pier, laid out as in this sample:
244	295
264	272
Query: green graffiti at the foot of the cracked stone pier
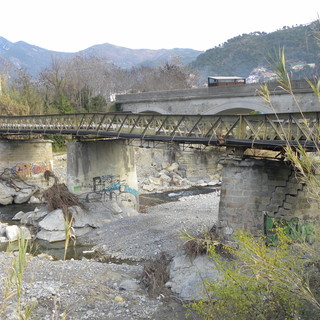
295	228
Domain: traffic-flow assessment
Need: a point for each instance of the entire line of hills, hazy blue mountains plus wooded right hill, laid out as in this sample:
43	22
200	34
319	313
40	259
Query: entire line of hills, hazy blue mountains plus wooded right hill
238	56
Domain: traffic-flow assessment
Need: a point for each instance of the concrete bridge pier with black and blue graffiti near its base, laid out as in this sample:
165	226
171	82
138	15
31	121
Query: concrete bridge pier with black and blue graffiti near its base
103	168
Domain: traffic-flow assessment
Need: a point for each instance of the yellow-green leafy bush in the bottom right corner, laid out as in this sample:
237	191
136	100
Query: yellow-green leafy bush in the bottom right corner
262	282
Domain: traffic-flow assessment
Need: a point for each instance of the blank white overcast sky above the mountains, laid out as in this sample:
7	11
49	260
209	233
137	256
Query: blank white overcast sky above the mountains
74	25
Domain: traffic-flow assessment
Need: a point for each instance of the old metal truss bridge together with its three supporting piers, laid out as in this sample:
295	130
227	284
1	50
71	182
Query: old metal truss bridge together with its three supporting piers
252	189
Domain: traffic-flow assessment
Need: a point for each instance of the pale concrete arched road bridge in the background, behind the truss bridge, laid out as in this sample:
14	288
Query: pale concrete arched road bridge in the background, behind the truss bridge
220	100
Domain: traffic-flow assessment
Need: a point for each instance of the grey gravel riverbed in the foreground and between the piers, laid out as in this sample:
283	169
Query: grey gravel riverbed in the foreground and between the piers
87	289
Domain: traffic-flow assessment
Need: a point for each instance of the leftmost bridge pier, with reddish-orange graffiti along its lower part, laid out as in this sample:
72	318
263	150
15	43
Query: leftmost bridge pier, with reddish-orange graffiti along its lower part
29	159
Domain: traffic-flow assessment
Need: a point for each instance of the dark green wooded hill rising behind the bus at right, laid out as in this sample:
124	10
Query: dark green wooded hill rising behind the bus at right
240	55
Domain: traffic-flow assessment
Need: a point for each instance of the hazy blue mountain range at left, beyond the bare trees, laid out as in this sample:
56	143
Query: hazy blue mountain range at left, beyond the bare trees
35	59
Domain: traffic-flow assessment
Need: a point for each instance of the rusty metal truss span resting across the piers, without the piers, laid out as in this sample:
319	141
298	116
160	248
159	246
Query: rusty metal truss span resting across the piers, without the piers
262	131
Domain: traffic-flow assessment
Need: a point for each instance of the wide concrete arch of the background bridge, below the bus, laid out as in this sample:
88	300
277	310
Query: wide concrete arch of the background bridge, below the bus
244	106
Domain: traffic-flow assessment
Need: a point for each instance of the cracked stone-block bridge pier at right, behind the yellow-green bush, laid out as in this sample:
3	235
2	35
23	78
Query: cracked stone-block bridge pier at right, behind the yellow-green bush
255	190
